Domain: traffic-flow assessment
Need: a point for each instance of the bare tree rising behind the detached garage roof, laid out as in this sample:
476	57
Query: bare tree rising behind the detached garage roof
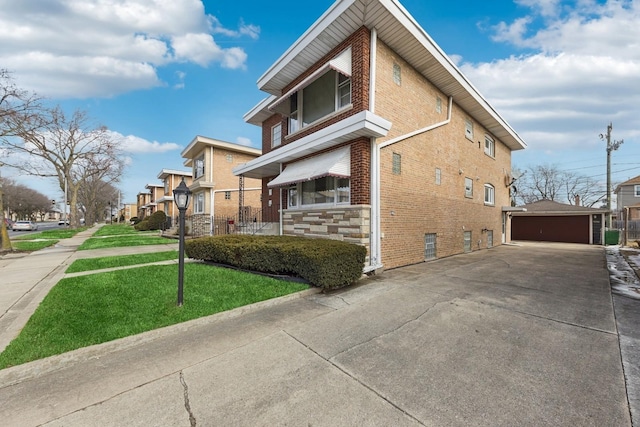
549	182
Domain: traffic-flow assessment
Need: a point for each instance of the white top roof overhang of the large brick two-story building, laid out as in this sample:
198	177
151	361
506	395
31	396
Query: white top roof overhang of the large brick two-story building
401	32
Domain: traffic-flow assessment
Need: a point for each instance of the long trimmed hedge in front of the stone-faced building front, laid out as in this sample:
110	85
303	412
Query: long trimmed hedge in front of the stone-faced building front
329	264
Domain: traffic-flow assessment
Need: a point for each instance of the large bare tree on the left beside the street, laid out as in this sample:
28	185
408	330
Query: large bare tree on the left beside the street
69	149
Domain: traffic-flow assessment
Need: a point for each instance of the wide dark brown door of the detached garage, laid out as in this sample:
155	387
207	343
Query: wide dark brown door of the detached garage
568	229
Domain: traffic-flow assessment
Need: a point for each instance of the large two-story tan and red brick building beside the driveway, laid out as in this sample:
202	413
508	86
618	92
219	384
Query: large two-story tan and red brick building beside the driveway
372	135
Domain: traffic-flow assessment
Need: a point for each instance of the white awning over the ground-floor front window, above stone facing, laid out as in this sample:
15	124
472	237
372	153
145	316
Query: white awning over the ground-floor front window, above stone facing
334	163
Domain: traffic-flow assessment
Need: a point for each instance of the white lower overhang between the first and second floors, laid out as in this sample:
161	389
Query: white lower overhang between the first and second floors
363	124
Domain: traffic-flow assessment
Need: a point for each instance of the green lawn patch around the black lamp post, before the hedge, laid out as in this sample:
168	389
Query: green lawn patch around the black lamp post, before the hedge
93	309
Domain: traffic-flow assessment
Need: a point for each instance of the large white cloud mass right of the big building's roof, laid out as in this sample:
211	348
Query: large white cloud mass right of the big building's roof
583	70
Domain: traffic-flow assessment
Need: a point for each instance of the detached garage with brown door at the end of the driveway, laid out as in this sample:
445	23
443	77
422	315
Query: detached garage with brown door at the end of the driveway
548	221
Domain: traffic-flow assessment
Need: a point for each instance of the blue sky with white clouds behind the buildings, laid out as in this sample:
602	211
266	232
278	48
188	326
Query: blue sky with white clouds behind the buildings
159	73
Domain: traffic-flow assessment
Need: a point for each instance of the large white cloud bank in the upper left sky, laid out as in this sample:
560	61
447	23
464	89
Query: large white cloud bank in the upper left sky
101	48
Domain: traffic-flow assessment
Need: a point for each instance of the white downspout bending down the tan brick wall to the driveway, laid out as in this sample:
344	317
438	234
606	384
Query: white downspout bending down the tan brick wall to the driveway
375	184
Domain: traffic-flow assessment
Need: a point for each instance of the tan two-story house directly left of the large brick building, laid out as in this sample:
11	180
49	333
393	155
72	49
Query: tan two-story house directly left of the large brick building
215	189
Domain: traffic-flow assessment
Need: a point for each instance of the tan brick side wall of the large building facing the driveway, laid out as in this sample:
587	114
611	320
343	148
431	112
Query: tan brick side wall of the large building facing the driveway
412	205
